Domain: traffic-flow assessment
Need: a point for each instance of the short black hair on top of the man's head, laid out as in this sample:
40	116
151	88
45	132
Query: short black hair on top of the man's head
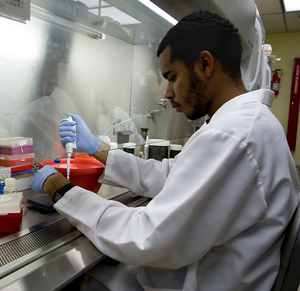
201	31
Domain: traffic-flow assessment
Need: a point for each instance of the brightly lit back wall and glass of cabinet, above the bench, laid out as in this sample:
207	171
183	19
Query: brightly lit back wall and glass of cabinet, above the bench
91	58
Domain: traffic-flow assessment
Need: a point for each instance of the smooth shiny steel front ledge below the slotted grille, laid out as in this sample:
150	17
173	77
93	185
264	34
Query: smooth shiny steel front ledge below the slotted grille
56	269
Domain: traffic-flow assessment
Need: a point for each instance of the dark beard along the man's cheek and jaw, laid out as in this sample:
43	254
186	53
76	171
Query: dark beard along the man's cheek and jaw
196	96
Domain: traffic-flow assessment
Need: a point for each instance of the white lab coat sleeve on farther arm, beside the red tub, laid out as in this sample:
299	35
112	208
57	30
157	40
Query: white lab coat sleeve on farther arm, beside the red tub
142	177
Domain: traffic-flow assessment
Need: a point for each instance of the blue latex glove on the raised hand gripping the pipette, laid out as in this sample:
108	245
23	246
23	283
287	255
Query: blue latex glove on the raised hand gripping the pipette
85	141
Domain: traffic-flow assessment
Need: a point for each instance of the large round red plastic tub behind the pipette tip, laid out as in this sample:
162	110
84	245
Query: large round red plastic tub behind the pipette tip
83	172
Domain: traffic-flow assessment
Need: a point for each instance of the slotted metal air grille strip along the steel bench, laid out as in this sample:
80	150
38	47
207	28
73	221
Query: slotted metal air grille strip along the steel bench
30	242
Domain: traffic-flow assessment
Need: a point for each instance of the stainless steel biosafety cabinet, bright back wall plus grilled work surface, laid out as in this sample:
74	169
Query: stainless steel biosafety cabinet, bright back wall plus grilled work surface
94	59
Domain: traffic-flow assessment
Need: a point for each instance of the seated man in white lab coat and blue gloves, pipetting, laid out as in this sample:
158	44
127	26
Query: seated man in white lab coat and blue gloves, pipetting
220	208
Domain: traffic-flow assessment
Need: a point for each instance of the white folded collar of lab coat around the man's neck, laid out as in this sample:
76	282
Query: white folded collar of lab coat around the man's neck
265	96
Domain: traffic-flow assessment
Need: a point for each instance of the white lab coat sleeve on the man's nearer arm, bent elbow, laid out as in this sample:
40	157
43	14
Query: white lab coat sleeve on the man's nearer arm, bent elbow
213	194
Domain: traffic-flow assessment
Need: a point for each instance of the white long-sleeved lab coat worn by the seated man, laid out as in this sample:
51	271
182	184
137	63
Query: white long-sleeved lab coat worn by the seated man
218	212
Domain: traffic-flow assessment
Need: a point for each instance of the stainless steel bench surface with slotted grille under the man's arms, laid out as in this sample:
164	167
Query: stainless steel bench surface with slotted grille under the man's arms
48	252
